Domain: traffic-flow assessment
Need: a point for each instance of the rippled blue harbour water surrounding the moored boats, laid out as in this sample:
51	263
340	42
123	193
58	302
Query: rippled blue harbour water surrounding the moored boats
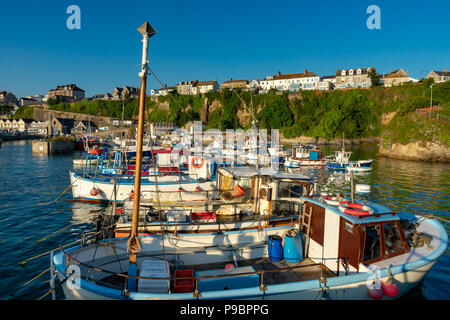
31	183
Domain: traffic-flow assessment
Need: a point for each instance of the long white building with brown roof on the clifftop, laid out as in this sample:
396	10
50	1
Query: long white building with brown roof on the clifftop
291	82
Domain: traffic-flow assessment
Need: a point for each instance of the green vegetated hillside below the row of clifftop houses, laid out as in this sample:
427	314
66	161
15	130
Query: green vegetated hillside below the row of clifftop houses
355	113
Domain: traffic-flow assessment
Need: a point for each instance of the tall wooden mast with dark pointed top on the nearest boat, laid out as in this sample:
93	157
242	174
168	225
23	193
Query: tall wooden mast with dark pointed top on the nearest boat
147	31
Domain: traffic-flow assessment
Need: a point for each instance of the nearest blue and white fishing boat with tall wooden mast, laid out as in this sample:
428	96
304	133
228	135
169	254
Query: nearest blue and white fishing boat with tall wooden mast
355	250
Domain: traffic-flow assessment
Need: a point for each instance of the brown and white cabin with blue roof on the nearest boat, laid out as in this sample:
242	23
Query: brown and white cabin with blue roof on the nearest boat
349	243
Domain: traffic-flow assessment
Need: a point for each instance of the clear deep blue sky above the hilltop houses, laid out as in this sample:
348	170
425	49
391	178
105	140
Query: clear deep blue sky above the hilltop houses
211	39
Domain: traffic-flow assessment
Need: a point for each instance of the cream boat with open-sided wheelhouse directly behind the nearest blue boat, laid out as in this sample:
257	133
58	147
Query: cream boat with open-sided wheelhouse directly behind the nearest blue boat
249	198
